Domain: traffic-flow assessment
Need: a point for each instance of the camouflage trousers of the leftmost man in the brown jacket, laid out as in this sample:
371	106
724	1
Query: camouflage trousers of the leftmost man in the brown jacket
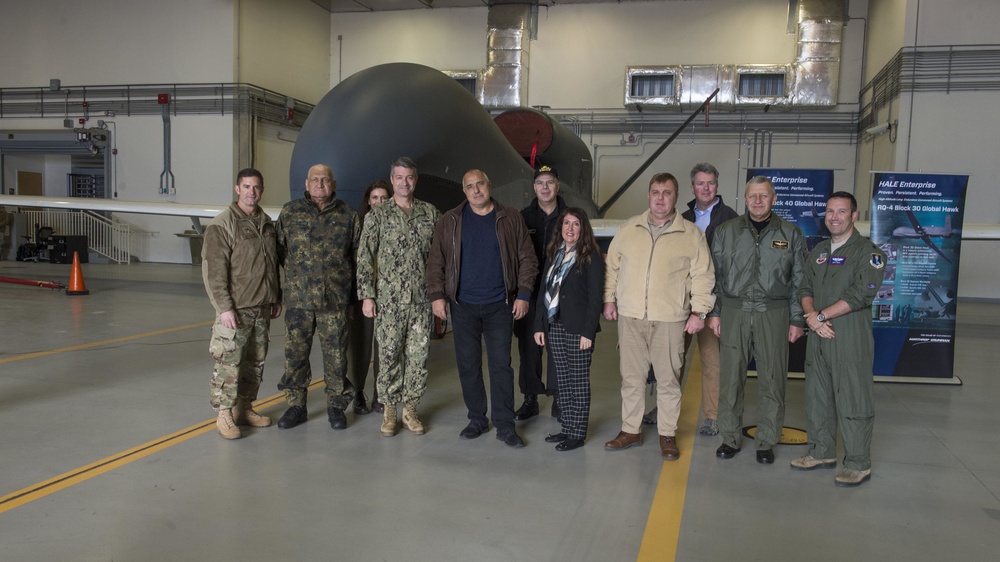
239	356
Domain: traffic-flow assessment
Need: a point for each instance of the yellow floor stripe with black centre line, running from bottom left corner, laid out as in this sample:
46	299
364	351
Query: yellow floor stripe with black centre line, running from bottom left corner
52	485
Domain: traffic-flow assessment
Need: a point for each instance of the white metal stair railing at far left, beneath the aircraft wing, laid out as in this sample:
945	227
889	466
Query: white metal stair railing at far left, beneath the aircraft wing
112	237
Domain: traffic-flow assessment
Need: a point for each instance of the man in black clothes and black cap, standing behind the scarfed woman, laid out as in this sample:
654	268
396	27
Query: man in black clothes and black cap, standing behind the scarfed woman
540	217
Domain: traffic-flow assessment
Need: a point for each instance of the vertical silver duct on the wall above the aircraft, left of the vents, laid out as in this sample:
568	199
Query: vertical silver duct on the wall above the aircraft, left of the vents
504	81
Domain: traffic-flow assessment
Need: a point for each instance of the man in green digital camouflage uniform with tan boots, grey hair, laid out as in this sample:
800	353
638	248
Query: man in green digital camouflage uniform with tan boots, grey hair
391	259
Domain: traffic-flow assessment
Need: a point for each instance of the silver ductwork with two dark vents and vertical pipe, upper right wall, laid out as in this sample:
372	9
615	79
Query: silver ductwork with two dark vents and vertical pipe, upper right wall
812	80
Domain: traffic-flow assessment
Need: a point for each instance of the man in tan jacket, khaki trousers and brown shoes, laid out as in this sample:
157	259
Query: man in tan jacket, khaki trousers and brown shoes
658	285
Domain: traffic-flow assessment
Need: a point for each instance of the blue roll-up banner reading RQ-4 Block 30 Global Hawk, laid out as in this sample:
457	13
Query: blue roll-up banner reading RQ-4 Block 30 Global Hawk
917	222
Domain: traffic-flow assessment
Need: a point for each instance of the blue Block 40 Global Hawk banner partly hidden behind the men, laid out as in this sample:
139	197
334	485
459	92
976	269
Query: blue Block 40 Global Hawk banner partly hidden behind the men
802	196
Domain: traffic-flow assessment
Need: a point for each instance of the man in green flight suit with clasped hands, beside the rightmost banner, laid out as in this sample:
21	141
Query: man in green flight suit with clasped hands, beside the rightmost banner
843	275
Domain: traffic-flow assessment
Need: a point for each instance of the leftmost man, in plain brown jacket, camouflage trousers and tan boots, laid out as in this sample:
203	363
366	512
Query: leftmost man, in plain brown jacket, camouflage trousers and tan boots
240	270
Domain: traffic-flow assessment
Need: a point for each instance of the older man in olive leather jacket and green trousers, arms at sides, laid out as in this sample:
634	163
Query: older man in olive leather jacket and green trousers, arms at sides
758	270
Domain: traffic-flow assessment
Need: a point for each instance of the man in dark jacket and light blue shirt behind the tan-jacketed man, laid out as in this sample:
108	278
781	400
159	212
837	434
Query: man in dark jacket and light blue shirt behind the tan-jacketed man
707	211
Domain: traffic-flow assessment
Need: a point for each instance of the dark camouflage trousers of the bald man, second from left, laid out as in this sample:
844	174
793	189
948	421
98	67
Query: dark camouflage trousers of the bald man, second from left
331	327
